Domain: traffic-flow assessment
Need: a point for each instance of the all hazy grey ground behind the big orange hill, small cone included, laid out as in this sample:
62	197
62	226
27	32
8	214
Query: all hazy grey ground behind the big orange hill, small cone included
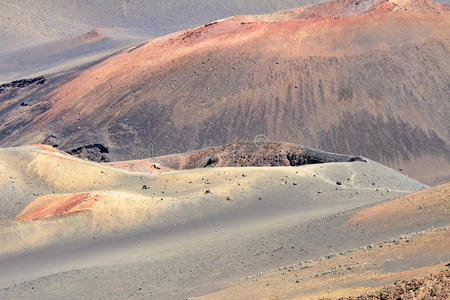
38	36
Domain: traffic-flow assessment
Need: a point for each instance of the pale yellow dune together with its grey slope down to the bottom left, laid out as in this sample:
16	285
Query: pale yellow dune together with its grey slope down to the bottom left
161	234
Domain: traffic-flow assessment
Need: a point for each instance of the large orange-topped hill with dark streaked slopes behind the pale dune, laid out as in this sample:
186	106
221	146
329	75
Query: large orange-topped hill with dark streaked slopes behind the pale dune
358	77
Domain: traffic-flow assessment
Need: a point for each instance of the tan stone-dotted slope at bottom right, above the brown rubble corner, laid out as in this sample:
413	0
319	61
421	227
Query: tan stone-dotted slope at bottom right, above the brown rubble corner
351	274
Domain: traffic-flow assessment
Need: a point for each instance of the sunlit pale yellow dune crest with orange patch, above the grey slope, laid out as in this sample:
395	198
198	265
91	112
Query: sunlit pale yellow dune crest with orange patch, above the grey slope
46	190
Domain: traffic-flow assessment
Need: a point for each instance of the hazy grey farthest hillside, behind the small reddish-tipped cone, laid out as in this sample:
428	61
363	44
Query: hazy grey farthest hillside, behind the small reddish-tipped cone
28	22
